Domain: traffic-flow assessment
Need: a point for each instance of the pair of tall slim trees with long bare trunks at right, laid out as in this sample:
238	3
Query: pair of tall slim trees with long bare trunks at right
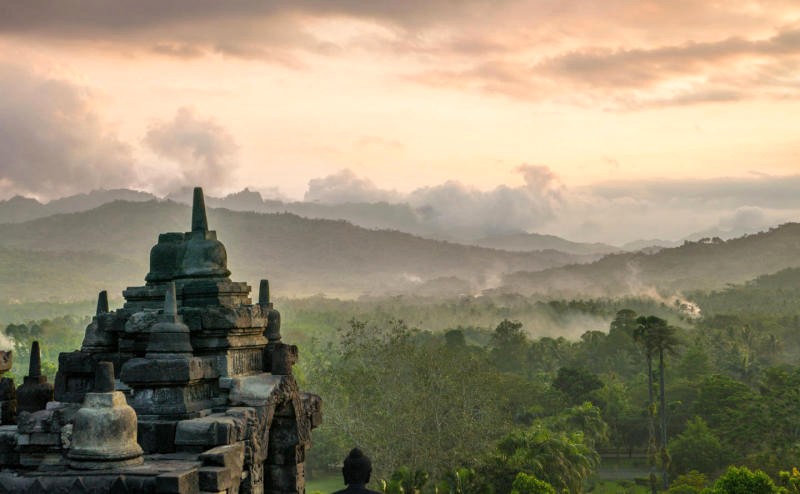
656	338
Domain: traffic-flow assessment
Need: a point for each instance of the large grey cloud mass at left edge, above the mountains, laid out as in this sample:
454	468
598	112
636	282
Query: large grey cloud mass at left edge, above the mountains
53	141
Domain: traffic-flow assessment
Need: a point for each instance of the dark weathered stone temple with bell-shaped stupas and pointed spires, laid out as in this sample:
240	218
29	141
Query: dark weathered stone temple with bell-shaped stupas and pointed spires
187	388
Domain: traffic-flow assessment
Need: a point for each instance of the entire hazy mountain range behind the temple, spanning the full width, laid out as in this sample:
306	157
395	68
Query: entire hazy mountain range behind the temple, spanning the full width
71	256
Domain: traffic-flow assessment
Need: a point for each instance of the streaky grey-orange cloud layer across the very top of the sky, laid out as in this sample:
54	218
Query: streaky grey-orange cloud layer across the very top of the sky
623	54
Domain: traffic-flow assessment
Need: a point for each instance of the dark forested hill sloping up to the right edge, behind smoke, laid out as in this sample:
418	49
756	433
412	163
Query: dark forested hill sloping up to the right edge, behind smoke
693	266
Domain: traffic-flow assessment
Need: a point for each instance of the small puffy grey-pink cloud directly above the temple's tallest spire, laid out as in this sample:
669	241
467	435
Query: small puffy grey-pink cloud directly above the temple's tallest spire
204	151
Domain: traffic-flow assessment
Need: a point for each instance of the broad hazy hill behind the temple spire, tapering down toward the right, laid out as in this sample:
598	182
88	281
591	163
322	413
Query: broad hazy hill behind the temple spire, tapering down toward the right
69	256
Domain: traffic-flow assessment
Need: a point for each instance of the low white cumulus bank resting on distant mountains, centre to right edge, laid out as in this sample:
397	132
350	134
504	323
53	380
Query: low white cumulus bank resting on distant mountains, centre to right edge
614	213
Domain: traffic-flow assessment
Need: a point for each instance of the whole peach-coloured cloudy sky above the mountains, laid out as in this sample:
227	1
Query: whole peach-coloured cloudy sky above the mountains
603	121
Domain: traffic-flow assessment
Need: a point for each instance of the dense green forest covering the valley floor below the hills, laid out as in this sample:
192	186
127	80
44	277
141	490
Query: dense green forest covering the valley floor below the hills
507	393
